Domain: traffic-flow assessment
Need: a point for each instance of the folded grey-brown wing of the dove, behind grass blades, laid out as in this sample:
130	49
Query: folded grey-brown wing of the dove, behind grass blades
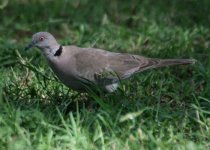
106	67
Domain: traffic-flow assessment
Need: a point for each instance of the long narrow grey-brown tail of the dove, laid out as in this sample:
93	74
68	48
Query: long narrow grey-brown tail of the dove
157	63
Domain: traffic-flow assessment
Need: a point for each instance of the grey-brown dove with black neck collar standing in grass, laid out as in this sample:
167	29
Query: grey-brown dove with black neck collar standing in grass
76	66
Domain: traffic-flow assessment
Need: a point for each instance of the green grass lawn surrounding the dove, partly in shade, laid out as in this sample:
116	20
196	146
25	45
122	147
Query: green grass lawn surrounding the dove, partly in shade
167	108
